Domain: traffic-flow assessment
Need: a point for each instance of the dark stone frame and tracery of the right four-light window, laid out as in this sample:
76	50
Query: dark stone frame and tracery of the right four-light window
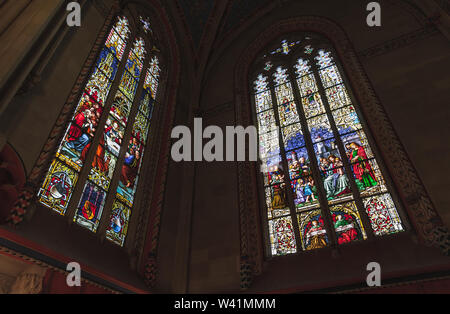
288	61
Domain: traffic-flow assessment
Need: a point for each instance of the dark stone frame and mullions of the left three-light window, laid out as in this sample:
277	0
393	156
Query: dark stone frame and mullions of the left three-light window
151	42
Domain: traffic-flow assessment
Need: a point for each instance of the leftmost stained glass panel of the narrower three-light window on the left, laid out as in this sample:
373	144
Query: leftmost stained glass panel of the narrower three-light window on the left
74	148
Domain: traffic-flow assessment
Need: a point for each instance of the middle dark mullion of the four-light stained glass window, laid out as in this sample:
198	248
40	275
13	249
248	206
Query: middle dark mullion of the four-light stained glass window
312	157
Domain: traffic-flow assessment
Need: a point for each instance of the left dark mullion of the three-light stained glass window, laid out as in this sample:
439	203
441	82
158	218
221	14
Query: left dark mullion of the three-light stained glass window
84	175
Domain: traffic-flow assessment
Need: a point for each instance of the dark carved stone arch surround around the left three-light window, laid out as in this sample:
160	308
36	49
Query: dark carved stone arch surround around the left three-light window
144	227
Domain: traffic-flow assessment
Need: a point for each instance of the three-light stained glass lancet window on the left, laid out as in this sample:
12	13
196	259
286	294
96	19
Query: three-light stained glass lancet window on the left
113	115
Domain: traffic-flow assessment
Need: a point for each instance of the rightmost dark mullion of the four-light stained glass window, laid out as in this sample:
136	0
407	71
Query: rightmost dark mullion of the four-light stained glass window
357	196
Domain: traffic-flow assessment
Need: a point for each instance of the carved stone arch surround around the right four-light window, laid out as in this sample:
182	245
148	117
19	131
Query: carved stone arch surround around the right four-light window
422	214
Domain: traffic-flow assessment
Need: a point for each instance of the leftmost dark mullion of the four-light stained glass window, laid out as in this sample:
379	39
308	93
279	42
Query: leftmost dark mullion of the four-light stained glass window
287	180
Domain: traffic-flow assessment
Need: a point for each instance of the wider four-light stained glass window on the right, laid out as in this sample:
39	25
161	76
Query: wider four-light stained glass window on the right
322	182
